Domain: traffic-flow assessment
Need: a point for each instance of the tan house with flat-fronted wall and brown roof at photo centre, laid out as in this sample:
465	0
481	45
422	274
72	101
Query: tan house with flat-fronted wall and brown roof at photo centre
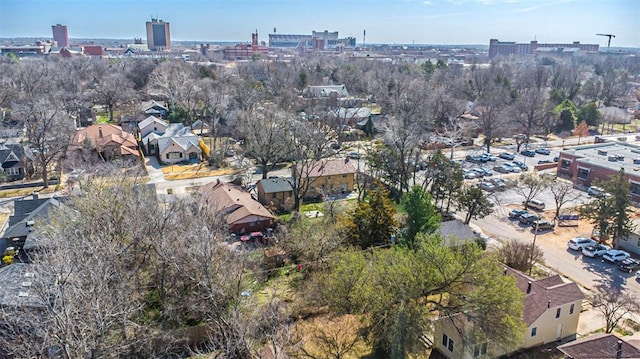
327	177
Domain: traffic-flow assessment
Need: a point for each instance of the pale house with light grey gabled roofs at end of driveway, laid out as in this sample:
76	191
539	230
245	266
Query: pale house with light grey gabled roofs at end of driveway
171	143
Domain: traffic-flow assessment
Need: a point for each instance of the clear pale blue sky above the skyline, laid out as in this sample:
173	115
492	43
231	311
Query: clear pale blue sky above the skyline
440	22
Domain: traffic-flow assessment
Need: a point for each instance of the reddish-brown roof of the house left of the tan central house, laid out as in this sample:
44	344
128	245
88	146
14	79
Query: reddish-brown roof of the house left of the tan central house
232	201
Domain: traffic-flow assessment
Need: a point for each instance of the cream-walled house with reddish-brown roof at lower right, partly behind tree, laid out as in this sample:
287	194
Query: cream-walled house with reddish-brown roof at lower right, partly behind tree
551	312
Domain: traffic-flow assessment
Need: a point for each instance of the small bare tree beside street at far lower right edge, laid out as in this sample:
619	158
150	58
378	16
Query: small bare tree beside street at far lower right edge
613	305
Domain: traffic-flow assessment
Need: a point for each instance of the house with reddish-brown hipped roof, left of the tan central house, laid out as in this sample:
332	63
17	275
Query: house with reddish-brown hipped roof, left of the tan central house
242	213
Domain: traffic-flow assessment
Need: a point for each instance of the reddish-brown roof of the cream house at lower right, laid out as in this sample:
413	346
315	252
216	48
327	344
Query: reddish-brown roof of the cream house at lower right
544	294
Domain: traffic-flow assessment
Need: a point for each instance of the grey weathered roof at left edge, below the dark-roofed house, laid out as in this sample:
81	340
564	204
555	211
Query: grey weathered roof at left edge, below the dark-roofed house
16	282
